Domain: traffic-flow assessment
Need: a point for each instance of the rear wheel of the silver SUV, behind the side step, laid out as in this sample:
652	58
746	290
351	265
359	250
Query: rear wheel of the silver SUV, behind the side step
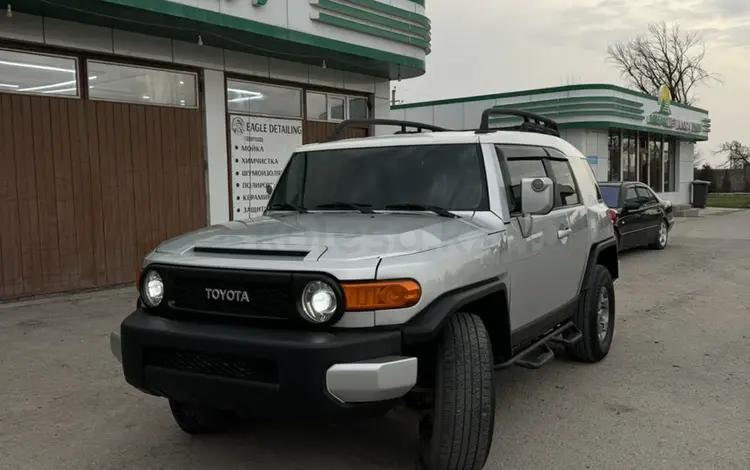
596	318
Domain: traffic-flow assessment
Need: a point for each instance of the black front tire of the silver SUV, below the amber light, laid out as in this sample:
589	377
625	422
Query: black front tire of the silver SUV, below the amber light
457	433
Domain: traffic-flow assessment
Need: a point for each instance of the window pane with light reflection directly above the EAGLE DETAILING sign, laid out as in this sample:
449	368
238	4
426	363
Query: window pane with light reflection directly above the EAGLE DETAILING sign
268	100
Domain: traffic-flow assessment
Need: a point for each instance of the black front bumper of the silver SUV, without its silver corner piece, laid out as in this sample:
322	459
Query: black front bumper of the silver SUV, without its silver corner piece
245	369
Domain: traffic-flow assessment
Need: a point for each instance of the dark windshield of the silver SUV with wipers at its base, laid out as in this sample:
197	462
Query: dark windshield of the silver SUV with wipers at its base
445	176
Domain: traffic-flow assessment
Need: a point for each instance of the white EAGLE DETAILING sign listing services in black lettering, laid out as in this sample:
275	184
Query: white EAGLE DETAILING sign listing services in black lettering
261	148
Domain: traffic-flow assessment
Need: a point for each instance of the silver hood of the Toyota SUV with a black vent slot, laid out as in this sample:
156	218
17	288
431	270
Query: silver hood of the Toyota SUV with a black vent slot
325	236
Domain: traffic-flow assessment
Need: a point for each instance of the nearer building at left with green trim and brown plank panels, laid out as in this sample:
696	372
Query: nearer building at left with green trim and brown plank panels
126	122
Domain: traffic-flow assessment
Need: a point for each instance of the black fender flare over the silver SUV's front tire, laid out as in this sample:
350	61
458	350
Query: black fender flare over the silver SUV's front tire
426	325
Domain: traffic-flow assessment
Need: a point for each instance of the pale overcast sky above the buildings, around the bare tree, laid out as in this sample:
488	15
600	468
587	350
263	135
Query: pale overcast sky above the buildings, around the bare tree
483	46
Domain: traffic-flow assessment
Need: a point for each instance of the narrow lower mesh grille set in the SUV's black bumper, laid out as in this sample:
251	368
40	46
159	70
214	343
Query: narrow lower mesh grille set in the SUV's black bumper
216	365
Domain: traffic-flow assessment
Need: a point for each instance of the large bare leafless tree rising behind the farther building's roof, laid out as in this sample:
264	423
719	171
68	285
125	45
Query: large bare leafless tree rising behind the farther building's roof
664	56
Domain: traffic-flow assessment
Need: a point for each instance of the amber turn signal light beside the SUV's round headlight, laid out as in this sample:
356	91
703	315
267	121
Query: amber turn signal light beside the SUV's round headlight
381	295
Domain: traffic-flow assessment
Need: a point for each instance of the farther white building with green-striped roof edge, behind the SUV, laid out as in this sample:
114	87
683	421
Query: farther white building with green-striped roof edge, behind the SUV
626	135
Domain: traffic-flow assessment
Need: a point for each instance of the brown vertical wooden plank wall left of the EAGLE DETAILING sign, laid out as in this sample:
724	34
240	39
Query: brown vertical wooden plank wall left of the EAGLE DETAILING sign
87	188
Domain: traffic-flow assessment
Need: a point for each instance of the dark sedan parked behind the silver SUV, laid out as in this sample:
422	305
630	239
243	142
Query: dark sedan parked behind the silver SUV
640	216
